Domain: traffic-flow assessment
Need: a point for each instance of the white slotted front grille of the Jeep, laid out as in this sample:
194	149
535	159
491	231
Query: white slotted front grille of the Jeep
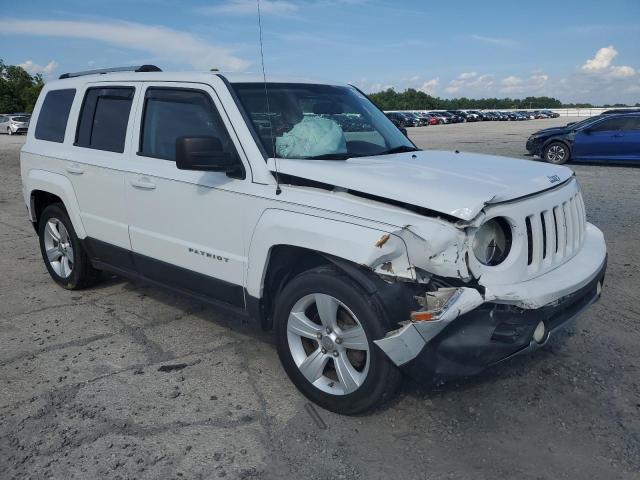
555	233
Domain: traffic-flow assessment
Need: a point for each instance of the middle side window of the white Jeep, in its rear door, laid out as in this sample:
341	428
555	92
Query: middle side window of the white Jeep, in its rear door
104	118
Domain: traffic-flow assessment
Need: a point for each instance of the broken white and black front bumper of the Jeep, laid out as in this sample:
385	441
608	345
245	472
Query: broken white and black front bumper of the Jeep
469	332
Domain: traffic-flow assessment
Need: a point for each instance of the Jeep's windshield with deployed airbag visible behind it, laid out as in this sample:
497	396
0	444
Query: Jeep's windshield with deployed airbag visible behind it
318	121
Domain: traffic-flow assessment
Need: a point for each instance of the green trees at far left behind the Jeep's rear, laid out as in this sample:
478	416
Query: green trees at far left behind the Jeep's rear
18	89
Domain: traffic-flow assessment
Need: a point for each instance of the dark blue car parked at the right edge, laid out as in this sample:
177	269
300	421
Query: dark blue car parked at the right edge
605	138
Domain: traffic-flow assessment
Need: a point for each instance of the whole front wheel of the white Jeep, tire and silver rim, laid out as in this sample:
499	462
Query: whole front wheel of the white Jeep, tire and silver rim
325	327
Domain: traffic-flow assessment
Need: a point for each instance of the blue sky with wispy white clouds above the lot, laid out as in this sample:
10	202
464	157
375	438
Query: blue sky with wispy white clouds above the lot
576	51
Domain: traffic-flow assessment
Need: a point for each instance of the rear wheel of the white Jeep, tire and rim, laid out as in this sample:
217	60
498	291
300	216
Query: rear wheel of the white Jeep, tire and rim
63	254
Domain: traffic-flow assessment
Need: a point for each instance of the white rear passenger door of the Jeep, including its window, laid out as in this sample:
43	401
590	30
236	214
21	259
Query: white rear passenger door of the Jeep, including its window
98	159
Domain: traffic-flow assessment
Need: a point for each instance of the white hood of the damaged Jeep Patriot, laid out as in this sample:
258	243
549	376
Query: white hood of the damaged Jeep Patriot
456	184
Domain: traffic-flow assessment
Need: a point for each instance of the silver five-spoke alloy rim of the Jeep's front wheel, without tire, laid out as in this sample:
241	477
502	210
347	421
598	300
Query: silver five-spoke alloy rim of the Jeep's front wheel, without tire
328	344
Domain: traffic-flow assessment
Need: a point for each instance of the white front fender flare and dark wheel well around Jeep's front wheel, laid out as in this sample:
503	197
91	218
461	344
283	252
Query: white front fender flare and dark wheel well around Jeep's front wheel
285	244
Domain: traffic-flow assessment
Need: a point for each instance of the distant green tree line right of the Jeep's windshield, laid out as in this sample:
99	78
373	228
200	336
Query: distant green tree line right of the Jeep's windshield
412	99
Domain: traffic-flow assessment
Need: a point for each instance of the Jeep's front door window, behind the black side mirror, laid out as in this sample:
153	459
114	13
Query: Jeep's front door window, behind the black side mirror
170	113
